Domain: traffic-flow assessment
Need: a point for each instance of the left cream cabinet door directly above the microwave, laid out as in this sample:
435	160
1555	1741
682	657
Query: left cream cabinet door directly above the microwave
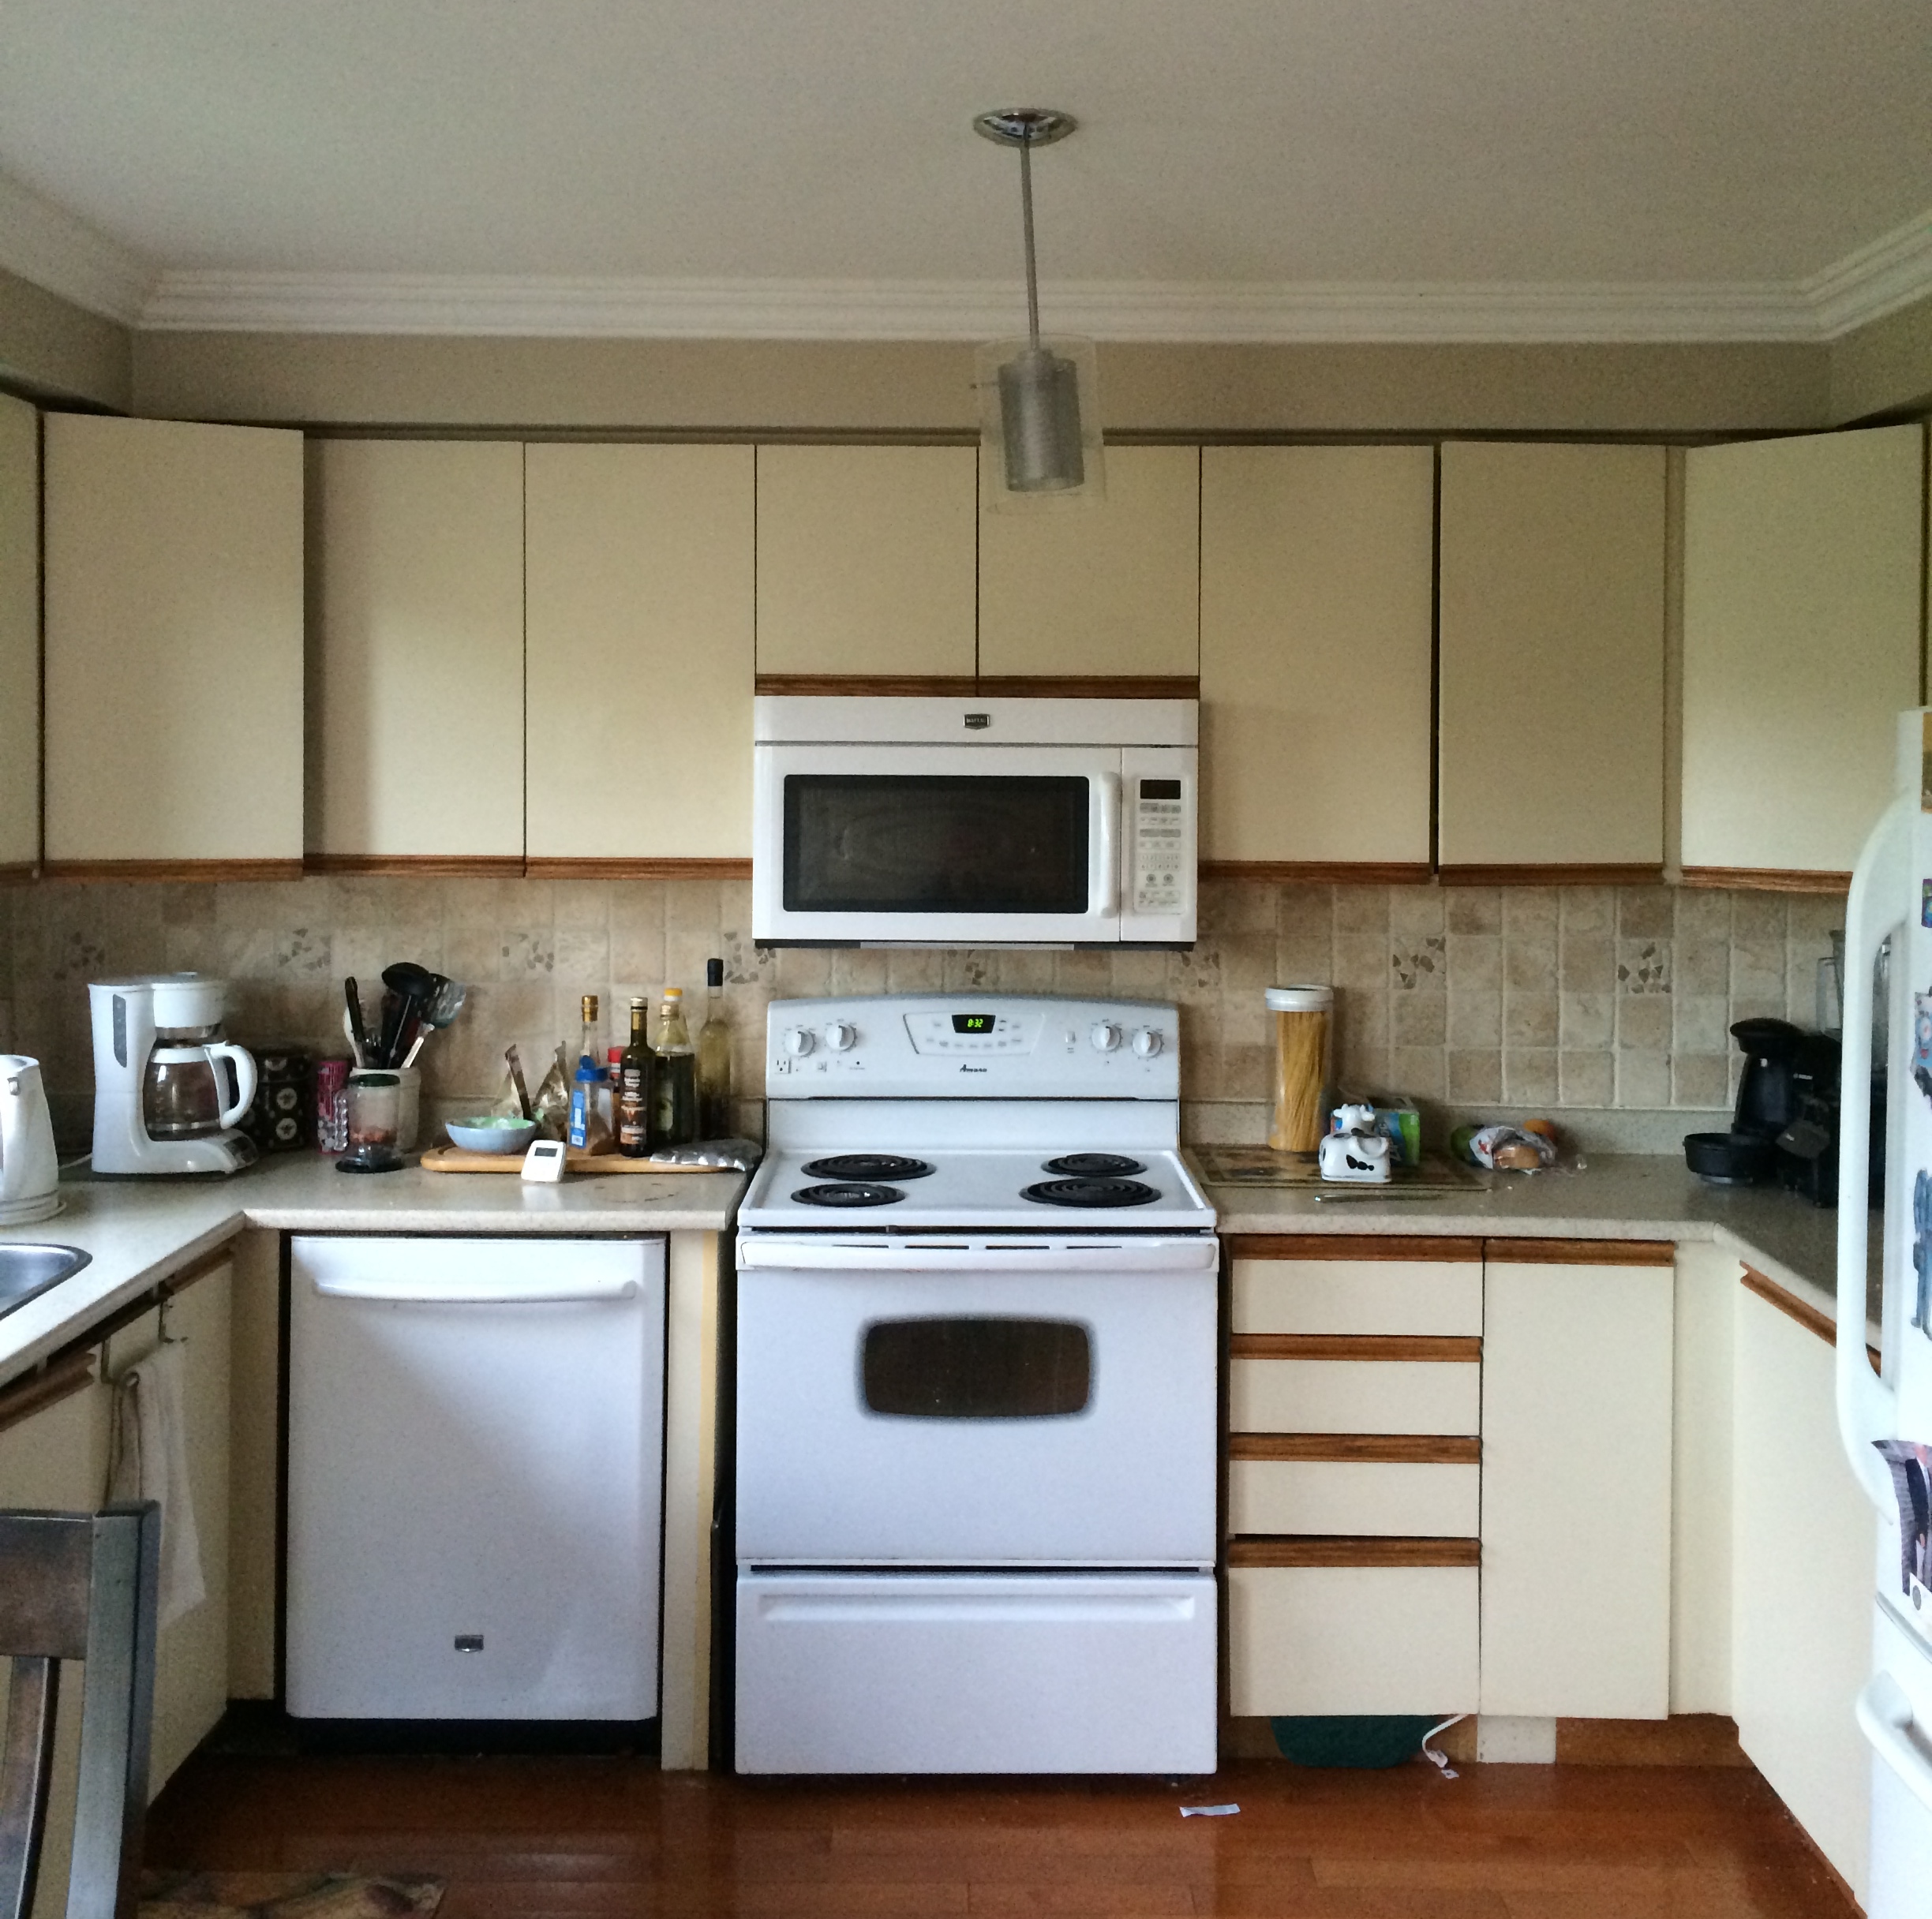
867	561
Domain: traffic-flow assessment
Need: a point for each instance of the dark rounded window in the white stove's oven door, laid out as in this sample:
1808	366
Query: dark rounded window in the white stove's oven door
977	1367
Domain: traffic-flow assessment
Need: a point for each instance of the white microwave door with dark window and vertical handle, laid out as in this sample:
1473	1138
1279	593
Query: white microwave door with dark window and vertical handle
936	844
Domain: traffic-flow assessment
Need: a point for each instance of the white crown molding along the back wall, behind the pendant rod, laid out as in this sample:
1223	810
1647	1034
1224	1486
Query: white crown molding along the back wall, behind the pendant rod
942	310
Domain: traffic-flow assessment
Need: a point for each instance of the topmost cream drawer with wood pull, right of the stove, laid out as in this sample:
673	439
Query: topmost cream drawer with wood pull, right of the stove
1411	1286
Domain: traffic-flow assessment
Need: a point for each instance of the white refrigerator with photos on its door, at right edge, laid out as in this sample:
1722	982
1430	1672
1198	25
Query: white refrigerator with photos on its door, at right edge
1887	1418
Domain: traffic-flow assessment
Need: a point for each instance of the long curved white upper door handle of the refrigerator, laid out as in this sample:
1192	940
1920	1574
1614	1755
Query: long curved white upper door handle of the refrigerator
1867	1408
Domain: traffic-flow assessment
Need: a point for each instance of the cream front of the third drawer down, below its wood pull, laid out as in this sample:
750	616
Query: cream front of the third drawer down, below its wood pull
1365	1499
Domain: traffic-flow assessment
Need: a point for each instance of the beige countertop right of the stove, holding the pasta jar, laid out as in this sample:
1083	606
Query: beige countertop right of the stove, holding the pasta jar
1606	1197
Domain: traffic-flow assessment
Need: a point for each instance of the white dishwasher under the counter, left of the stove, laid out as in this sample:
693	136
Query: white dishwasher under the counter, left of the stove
474	1477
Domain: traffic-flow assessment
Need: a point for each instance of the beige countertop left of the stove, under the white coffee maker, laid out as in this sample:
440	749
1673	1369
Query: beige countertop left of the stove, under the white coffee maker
144	1230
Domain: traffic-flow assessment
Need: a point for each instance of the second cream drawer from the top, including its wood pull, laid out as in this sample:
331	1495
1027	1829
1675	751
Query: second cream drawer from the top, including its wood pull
1419	1387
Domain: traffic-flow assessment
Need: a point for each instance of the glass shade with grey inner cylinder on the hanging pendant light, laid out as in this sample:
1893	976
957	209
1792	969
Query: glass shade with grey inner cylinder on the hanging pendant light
1040	442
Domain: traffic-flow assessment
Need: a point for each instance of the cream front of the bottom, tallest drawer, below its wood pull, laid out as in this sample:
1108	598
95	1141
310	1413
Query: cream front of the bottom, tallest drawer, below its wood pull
1353	1640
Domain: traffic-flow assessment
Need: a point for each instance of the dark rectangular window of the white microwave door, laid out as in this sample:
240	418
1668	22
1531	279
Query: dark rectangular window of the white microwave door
936	844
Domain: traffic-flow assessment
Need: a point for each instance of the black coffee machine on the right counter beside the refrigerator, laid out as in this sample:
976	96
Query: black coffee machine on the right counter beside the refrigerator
1786	1122
